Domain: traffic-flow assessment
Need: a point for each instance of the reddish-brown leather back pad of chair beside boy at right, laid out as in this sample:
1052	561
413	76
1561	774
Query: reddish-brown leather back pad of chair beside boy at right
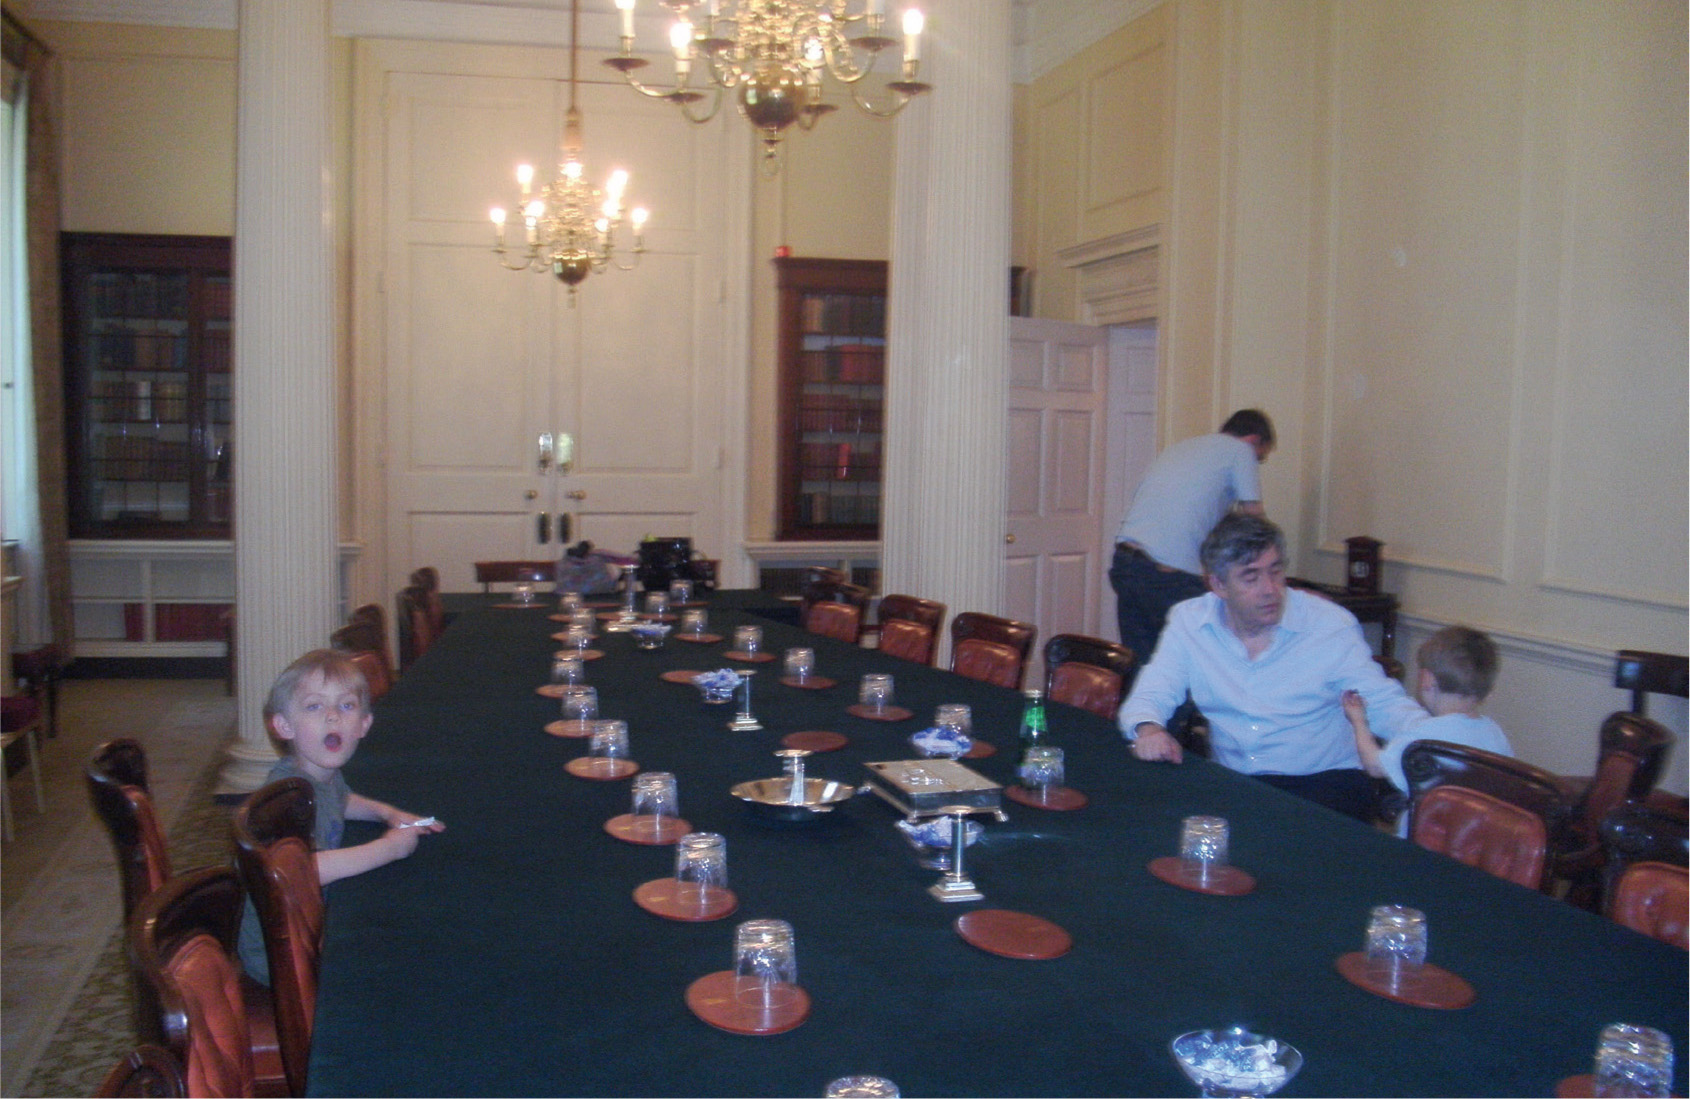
1481	831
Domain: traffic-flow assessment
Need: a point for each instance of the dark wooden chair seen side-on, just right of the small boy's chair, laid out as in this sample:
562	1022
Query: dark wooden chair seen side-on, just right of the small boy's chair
1632	752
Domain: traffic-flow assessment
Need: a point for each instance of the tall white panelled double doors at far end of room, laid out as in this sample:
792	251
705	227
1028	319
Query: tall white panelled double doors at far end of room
633	383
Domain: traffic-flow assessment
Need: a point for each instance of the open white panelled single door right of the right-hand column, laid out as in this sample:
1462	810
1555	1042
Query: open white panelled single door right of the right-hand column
1059	402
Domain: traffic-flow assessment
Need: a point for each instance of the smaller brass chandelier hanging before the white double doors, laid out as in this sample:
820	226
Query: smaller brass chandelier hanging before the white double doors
570	226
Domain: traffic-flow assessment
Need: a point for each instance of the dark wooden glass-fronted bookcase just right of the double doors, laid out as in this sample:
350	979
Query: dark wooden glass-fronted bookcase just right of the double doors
832	361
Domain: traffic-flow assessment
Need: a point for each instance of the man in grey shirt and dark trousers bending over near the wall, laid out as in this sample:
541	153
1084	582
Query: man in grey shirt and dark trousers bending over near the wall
1187	491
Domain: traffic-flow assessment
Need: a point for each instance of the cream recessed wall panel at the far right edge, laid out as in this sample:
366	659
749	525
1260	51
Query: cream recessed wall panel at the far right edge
1616	527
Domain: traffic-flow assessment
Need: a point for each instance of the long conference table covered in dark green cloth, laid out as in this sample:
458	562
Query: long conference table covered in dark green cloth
508	958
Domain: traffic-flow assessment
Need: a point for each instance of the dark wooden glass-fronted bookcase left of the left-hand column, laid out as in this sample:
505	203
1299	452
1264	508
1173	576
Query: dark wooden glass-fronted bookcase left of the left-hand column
148	385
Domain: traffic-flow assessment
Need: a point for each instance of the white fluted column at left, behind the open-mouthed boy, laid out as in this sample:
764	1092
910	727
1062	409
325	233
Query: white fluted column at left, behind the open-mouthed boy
286	581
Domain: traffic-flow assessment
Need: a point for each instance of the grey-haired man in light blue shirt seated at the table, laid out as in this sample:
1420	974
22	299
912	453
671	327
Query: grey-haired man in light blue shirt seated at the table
1267	667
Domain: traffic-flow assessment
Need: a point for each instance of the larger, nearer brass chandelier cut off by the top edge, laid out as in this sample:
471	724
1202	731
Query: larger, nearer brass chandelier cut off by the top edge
771	57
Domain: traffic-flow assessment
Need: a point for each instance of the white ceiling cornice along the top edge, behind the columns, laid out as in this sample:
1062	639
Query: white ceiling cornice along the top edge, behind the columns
1045	31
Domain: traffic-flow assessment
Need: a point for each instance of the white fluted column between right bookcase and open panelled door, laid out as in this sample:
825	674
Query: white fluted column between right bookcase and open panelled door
949	319
